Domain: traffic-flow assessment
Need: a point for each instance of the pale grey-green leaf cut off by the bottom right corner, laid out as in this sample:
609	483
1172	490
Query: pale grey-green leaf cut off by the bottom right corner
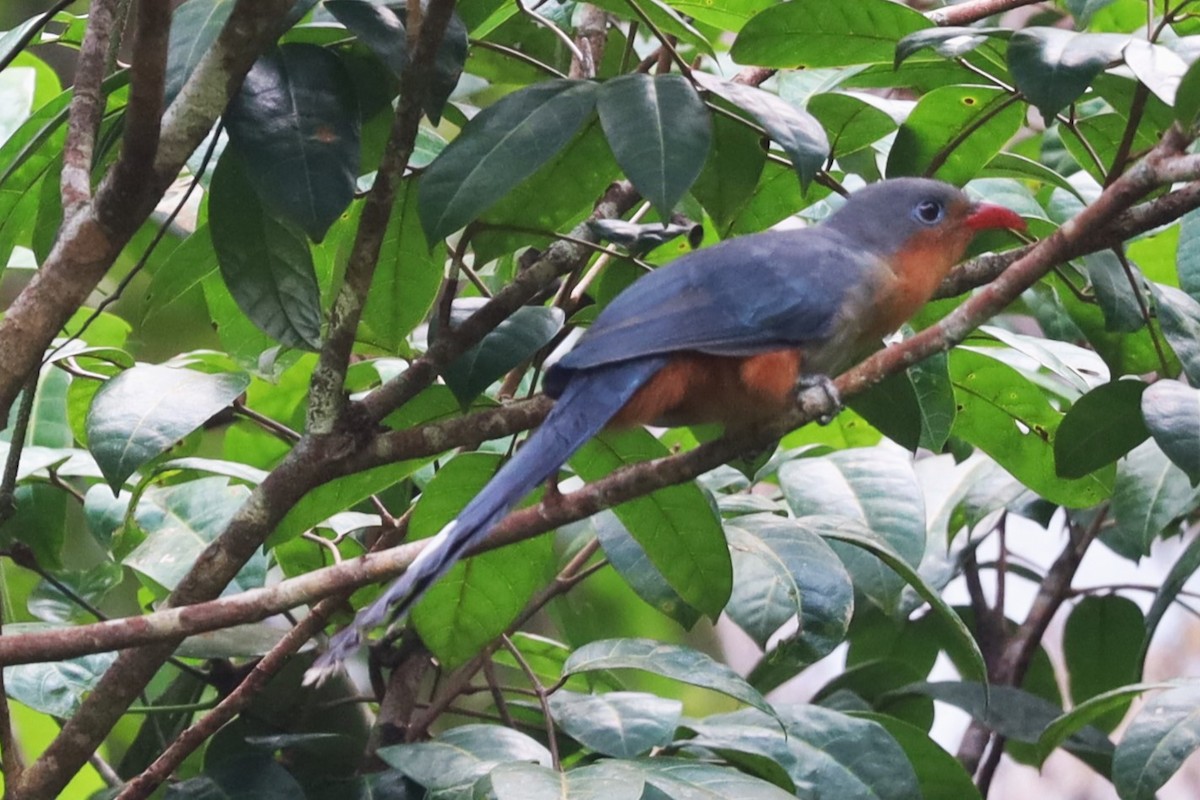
1157	743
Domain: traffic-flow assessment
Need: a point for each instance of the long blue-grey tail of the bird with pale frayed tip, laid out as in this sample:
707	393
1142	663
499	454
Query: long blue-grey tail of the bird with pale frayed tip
585	407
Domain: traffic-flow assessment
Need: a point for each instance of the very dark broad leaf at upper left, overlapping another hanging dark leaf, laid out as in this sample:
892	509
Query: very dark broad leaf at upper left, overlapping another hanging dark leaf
296	123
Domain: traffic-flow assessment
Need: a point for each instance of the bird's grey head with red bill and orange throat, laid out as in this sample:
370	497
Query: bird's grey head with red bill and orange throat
909	216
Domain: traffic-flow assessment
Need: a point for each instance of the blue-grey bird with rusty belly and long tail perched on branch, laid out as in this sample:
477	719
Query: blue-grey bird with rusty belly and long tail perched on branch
727	334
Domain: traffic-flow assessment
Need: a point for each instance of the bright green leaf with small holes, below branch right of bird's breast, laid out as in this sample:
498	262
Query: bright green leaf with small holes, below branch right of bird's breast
1004	414
